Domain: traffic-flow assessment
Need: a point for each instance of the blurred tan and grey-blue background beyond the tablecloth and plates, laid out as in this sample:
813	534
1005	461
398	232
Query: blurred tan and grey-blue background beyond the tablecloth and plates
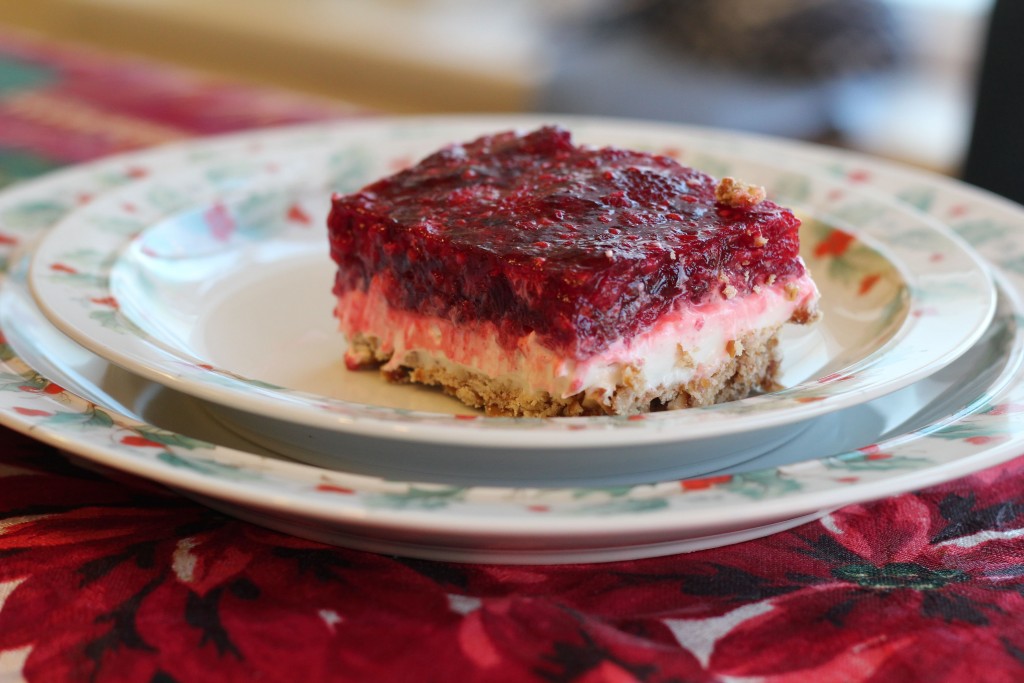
894	78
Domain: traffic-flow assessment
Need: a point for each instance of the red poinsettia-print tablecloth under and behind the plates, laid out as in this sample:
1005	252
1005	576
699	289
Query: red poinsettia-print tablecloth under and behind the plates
107	578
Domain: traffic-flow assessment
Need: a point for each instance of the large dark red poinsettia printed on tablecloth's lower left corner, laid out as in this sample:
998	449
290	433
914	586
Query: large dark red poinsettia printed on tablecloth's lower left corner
172	593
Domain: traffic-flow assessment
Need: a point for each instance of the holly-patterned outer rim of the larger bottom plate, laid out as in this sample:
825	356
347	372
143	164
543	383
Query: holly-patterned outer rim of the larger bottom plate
534	525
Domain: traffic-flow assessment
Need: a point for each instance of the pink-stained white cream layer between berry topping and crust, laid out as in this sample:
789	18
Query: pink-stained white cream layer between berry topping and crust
689	343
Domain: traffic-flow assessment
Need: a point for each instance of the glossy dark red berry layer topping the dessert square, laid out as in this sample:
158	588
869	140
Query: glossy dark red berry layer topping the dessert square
581	246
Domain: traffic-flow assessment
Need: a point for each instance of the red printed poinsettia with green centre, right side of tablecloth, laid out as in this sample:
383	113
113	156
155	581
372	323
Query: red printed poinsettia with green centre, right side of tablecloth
884	591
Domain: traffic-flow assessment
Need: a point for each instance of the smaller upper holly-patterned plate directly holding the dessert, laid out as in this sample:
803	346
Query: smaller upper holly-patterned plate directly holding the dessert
216	282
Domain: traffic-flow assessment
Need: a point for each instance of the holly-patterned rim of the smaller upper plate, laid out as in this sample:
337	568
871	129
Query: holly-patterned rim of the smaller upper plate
951	294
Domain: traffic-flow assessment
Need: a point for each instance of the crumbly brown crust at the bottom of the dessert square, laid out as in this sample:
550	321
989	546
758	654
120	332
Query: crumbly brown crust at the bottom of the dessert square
752	365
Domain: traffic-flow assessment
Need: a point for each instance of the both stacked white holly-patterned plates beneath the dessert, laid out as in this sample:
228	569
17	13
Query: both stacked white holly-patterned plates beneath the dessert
168	314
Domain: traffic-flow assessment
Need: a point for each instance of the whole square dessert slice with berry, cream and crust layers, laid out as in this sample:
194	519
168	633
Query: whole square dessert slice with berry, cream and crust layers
531	277
